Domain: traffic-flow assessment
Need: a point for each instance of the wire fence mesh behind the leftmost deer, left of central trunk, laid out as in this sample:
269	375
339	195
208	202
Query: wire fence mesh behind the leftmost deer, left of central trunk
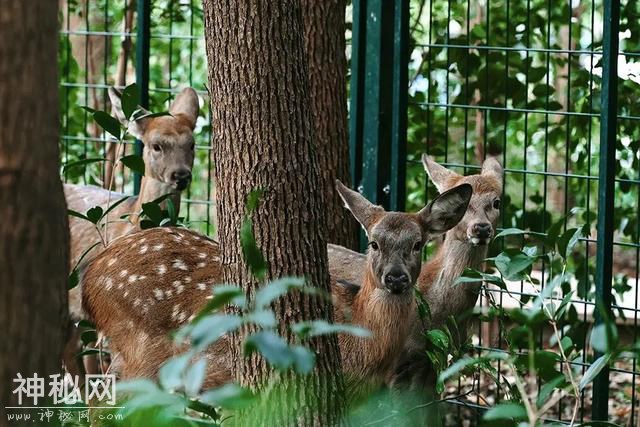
92	36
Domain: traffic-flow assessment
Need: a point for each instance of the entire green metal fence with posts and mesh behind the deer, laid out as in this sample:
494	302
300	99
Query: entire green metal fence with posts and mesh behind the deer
532	82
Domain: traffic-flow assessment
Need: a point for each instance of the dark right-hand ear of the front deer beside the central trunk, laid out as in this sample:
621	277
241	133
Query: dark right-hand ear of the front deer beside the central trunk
445	211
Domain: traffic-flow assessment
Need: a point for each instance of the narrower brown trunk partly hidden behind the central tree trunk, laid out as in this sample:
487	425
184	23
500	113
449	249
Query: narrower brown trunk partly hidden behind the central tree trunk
324	30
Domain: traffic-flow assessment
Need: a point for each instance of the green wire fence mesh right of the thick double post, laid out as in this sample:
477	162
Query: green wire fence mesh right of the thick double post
521	80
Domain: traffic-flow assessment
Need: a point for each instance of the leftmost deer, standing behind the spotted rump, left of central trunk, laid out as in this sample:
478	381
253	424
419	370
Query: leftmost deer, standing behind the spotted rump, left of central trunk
168	159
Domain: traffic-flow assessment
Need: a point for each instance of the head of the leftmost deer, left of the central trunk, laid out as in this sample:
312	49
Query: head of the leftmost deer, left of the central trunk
168	140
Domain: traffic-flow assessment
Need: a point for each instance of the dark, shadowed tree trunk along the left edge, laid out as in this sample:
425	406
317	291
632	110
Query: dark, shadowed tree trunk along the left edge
34	240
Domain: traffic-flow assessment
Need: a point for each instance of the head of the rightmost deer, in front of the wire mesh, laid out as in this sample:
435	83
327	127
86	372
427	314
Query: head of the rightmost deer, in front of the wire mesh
477	227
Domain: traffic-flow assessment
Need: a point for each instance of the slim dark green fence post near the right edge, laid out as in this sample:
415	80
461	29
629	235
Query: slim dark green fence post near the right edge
606	188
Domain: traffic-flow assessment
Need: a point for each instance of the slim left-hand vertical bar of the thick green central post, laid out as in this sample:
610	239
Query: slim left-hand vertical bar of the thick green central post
358	41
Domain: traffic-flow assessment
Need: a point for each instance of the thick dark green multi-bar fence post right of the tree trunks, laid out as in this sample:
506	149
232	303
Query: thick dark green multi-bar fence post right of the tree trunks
378	107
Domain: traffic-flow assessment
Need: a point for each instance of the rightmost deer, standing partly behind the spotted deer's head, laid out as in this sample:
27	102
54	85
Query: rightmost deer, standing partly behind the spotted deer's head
464	246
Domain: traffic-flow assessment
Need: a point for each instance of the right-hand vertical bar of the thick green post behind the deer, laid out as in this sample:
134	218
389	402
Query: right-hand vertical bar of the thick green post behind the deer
399	109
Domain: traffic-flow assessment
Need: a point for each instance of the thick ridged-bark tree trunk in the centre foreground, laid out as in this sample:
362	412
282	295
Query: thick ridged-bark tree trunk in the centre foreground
263	138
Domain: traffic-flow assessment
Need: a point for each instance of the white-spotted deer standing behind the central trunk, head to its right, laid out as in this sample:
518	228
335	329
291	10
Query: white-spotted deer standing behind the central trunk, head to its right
149	283
